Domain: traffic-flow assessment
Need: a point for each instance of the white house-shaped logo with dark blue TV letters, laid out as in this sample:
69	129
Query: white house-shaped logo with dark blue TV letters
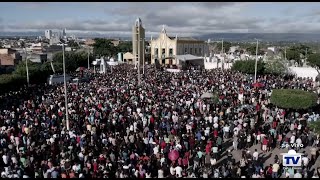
291	159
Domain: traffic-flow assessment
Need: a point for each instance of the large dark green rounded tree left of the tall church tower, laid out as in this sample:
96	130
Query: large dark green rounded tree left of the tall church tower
104	47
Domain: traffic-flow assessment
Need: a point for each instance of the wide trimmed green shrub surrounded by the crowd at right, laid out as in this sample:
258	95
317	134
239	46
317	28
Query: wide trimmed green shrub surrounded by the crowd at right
293	99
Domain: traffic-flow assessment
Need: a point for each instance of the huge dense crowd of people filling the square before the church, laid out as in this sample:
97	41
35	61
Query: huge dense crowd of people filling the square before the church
160	128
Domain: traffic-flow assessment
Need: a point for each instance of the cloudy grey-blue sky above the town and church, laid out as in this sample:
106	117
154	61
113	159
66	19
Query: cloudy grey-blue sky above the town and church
179	18
